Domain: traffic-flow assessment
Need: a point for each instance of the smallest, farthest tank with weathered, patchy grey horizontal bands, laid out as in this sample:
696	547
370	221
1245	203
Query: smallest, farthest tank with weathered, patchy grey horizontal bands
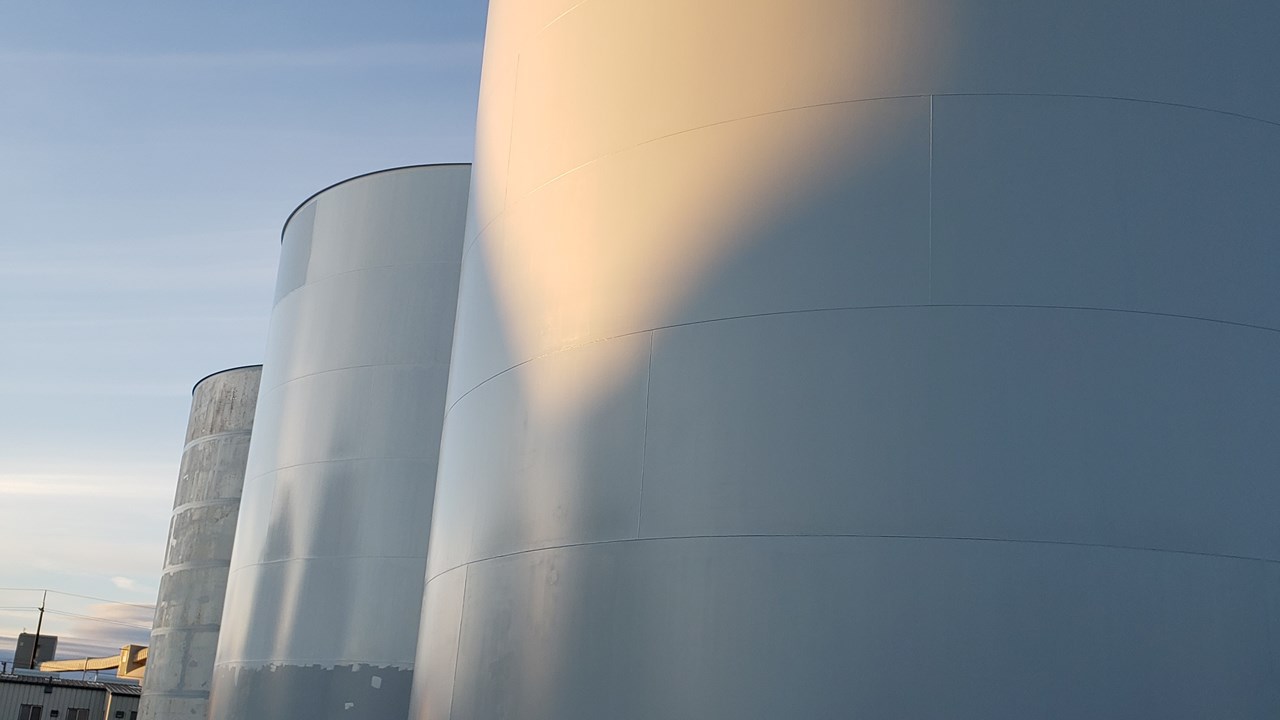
194	582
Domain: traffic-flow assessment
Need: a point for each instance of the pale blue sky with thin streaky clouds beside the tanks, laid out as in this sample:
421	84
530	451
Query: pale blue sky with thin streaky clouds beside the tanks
149	154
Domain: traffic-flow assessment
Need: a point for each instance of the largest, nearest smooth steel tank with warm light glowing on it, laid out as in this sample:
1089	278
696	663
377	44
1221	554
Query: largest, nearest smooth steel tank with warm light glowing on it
865	358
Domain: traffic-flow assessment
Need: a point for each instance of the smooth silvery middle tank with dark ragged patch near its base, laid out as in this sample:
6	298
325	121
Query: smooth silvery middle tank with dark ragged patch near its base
327	577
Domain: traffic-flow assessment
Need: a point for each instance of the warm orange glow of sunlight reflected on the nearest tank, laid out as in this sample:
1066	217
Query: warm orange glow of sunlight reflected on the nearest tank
646	139
